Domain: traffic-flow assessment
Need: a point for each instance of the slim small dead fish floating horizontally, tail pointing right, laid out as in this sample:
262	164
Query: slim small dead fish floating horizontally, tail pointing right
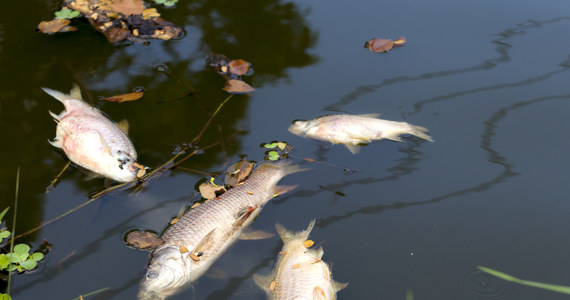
353	131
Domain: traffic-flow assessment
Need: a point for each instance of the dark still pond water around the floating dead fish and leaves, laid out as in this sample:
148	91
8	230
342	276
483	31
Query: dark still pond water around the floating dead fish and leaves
489	79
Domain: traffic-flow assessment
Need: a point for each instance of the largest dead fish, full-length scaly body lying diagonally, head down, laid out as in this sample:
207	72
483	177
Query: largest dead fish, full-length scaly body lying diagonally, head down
205	232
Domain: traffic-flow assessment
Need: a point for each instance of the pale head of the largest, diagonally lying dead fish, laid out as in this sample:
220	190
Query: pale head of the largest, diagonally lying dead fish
166	274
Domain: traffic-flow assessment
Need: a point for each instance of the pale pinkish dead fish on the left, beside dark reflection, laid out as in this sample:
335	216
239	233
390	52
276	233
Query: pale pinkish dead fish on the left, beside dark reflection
92	141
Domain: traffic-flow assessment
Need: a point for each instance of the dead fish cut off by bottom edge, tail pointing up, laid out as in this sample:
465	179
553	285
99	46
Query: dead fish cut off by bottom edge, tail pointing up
300	273
